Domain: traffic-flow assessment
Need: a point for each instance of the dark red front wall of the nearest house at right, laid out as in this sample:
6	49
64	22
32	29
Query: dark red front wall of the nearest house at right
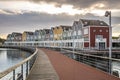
104	31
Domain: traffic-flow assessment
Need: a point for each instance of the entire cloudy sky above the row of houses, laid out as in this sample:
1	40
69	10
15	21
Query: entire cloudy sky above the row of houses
31	15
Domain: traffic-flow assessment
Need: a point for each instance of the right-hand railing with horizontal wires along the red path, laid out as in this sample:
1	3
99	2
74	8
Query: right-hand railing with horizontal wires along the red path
98	62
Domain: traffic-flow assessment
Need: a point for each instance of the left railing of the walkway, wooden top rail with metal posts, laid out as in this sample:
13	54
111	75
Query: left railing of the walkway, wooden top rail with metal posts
23	71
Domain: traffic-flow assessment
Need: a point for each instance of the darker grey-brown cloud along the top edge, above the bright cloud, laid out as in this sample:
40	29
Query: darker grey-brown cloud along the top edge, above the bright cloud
83	3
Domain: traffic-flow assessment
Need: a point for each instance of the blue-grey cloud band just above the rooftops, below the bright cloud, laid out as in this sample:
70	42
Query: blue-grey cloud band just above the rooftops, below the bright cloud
32	21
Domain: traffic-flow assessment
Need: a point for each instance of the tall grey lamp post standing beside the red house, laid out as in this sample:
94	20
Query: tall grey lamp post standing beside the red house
108	14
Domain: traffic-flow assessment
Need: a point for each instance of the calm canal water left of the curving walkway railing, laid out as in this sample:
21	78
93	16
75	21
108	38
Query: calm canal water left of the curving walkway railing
10	57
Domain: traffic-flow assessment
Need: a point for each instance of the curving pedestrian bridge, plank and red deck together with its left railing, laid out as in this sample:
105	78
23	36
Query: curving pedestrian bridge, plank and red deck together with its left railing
53	65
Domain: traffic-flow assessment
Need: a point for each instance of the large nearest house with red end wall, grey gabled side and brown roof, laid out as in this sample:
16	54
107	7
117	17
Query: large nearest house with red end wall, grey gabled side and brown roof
93	32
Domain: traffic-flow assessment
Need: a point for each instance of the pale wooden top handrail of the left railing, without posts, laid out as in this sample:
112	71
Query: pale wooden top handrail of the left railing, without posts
4	73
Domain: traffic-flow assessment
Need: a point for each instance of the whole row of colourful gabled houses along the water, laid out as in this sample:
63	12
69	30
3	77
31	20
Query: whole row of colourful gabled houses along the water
90	31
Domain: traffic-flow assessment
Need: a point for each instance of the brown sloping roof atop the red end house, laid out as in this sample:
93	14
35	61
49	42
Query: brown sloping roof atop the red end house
86	22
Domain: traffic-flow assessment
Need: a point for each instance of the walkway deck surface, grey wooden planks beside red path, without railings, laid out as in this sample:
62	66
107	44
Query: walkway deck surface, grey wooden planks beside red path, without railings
51	65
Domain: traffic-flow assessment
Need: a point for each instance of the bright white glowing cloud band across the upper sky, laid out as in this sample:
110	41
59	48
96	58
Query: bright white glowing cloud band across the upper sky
20	7
